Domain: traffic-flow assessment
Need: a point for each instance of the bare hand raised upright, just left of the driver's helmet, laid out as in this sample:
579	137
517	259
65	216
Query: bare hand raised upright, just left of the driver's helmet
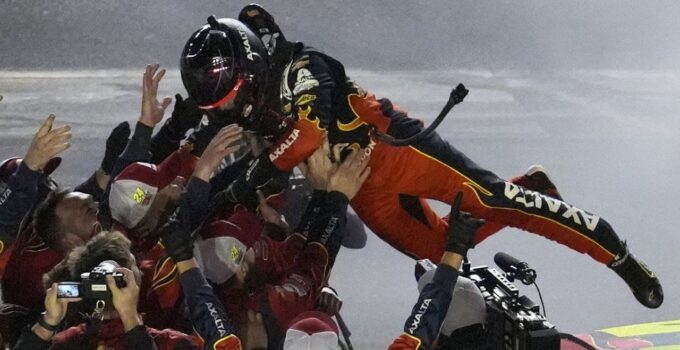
152	109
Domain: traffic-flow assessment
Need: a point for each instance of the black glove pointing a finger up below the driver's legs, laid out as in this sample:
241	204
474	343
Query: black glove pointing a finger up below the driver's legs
462	228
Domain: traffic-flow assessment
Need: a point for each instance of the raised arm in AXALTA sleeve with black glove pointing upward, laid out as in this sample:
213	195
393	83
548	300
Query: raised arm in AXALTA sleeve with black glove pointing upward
422	326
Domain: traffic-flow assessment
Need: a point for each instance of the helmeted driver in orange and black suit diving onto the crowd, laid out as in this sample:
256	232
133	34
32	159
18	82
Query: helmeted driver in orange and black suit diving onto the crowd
294	94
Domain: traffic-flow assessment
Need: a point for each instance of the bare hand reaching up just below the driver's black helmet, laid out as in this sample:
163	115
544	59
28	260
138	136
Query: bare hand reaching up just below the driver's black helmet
222	145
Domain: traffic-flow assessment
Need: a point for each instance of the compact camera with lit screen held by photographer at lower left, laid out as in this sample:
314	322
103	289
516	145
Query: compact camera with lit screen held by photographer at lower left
93	284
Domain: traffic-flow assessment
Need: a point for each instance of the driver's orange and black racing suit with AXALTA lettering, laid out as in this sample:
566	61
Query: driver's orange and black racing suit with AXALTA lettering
317	95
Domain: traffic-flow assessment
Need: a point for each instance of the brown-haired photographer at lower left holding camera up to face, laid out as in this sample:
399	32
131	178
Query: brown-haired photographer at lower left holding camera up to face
116	324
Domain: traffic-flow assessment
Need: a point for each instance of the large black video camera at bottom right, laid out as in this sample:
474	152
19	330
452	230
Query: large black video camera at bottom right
513	321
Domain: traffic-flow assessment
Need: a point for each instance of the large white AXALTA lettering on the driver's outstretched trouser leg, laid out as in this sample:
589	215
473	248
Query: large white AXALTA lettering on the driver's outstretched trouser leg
531	199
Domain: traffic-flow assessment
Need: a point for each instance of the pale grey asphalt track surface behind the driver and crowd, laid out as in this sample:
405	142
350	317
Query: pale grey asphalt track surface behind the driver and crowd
610	140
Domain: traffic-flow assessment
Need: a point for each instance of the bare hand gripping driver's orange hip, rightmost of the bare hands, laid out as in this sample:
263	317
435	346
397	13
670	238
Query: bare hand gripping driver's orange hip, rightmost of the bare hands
350	175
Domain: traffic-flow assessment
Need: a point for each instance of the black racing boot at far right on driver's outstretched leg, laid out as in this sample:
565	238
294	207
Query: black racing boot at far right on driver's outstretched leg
641	280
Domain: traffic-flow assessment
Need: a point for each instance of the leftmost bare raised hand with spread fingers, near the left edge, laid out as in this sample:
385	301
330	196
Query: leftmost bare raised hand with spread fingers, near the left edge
47	143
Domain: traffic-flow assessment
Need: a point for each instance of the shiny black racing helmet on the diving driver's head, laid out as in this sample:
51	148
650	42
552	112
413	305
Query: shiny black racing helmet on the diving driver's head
224	61
